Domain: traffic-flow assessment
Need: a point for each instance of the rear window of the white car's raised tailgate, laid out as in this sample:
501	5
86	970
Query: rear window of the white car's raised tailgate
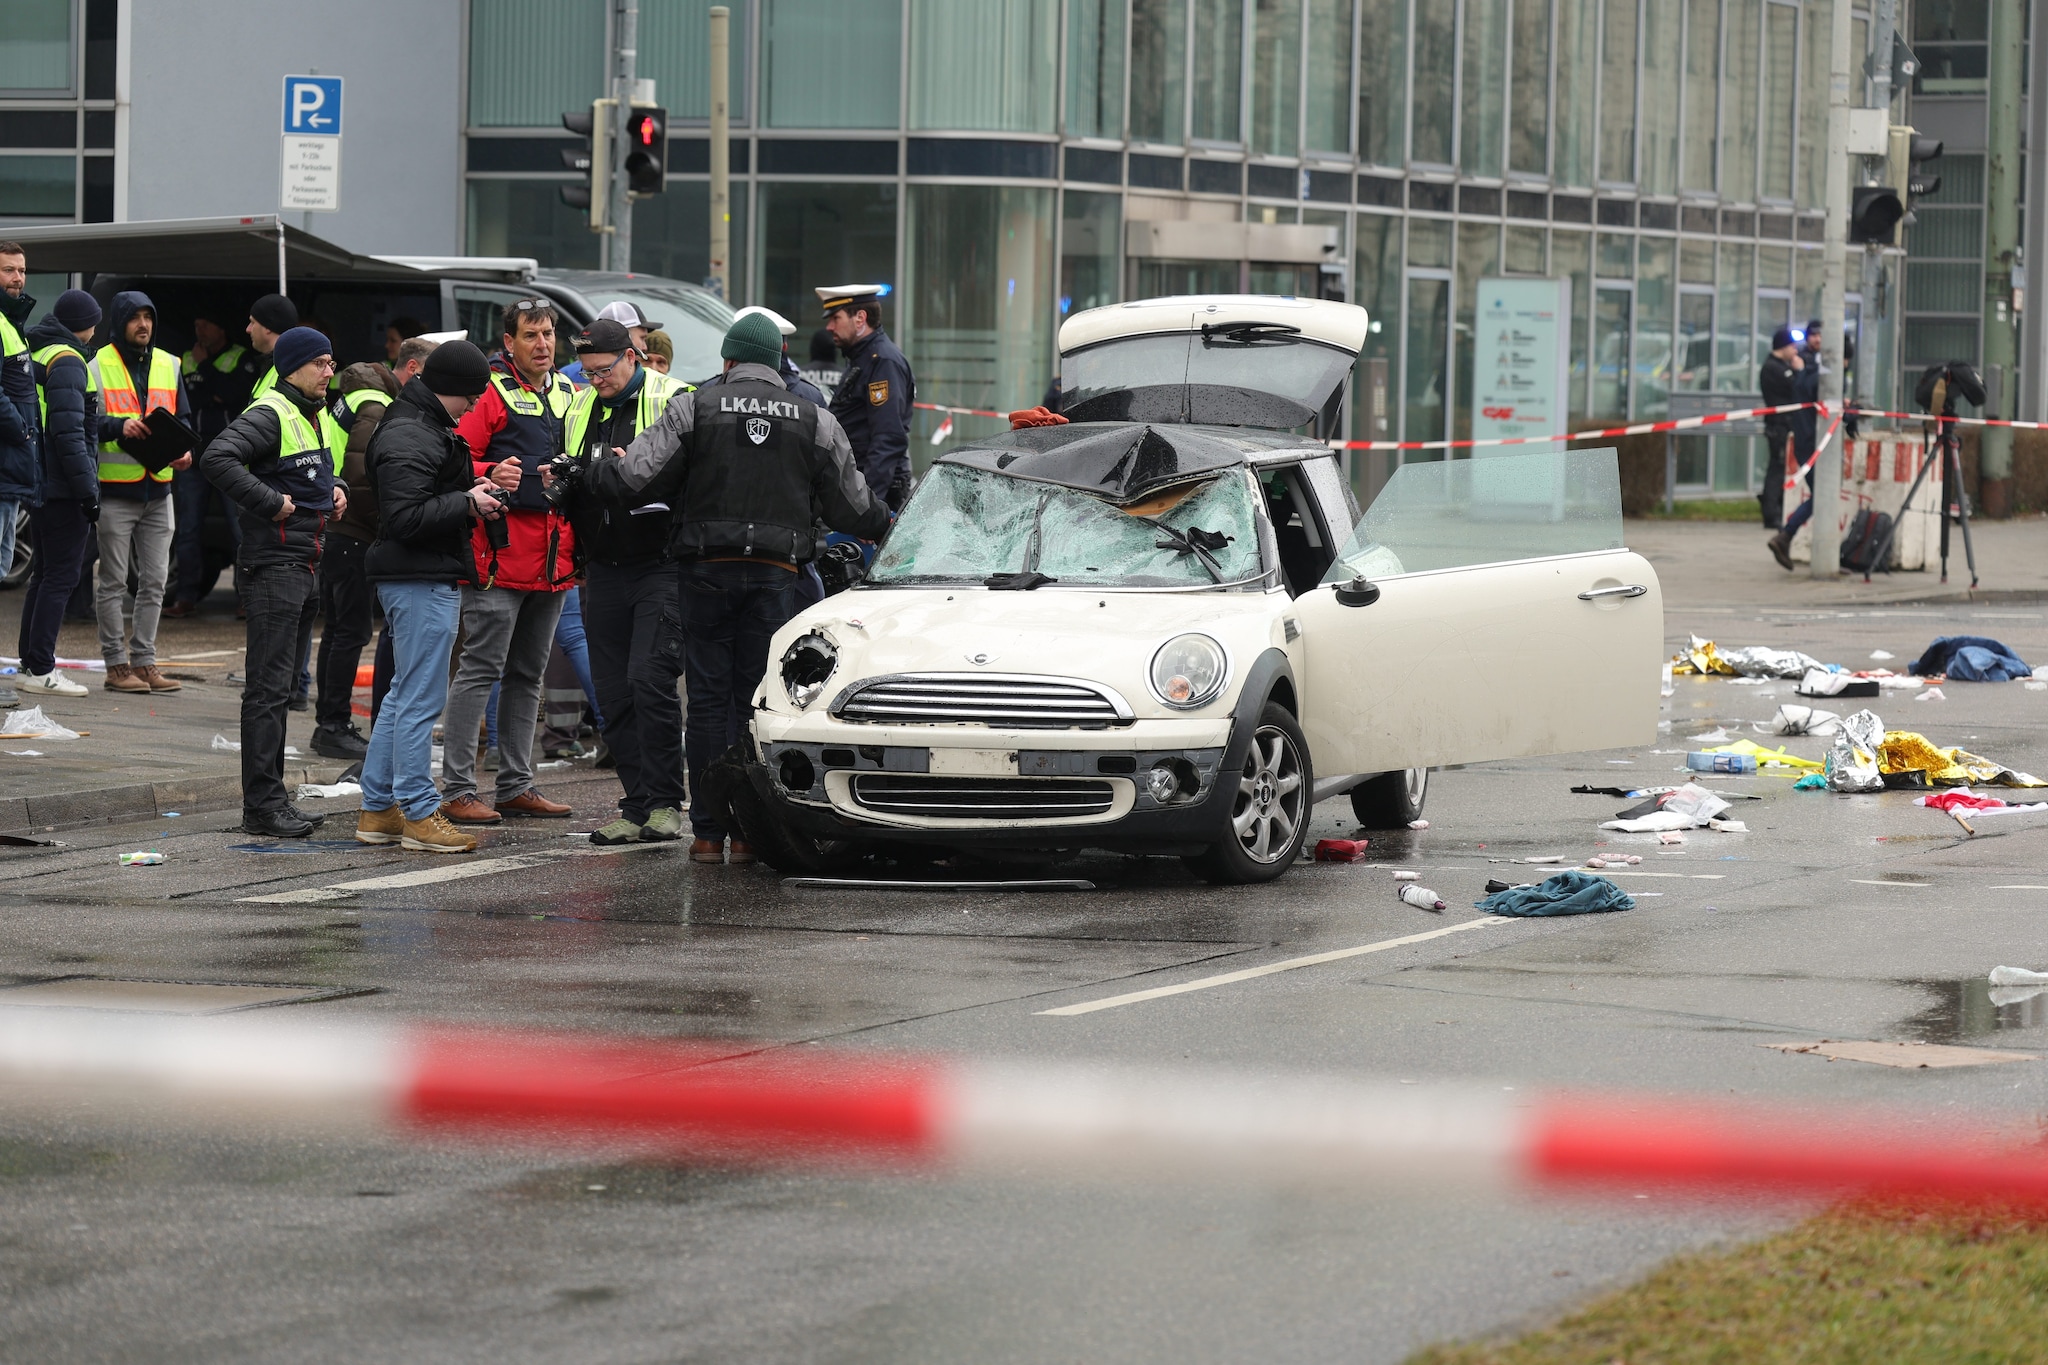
1230	376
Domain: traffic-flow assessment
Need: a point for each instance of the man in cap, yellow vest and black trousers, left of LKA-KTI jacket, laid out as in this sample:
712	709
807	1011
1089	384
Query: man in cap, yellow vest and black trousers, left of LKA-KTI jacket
630	590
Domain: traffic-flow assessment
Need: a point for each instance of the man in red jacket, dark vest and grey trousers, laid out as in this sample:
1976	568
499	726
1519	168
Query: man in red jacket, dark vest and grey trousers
509	621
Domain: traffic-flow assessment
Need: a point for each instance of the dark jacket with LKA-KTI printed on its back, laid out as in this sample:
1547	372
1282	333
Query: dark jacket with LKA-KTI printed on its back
746	468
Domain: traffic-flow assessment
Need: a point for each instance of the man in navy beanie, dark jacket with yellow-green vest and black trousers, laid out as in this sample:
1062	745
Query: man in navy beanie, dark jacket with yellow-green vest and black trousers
273	464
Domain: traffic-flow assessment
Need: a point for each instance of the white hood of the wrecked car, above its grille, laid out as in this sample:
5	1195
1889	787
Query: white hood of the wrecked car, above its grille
1105	637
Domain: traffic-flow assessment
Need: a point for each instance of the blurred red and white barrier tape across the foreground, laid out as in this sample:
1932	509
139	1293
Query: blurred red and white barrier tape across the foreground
826	1106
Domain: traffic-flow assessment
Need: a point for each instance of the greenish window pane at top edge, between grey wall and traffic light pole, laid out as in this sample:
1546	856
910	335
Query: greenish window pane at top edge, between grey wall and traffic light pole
531	60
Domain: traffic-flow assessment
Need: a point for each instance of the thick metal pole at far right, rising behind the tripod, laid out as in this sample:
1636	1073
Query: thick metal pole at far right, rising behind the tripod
2002	245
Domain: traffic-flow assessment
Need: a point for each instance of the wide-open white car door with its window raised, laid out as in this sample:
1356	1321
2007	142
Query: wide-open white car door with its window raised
1484	611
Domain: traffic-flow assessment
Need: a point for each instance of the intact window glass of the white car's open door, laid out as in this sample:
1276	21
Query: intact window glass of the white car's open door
1488	511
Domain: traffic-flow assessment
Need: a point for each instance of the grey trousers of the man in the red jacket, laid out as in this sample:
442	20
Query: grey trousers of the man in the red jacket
507	635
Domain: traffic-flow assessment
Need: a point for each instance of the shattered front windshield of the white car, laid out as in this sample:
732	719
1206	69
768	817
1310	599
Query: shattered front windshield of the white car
986	529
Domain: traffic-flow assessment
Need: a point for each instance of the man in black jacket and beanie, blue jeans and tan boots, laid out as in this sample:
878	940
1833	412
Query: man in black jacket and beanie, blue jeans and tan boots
429	498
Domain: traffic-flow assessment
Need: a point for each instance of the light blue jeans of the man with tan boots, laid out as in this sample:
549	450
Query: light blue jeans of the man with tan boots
421	623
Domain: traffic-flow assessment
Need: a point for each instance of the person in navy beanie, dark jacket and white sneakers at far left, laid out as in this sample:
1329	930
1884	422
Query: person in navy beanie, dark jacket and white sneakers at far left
71	504
